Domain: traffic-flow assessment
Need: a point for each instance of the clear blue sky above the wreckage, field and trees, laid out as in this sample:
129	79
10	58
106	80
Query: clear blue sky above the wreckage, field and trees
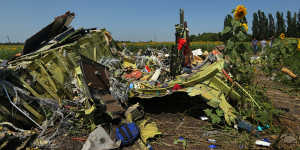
134	20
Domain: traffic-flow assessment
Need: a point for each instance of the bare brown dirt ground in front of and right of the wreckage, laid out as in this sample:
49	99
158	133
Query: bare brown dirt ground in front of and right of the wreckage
177	118
